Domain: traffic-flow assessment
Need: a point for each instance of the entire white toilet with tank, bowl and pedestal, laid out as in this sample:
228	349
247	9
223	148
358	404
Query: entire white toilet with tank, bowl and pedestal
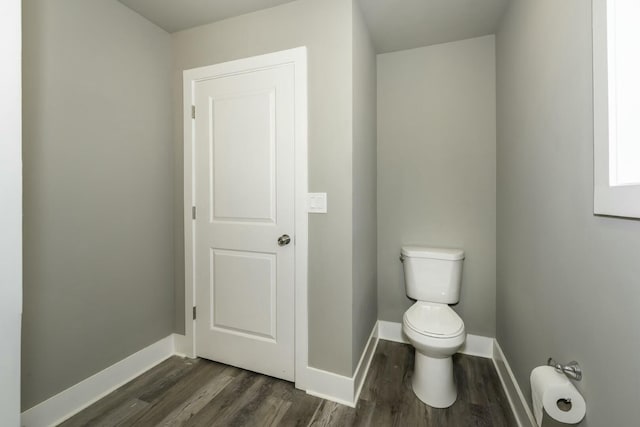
432	276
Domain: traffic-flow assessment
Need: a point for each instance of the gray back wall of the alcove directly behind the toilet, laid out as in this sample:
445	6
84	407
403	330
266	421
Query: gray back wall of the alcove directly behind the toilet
436	169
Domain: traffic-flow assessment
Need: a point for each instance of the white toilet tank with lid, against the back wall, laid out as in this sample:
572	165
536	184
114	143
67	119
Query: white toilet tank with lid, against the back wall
432	274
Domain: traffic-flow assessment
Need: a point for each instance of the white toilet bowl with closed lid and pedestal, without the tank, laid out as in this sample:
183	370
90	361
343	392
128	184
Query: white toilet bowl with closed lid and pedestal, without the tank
436	332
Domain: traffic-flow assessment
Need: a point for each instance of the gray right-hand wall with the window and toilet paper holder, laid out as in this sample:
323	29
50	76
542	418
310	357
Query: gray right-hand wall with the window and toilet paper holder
568	282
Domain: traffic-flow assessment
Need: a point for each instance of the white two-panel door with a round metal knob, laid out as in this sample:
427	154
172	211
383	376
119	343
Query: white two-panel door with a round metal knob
244	191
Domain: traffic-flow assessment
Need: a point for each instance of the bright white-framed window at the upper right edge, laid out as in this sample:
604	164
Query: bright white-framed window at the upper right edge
616	81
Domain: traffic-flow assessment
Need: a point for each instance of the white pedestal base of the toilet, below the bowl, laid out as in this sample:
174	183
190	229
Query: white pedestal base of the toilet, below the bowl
433	381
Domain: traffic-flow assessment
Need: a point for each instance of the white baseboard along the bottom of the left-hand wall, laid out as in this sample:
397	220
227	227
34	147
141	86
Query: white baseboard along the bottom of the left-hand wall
74	399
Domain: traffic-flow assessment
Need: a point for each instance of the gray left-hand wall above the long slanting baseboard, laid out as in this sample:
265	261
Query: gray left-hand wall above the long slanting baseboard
98	272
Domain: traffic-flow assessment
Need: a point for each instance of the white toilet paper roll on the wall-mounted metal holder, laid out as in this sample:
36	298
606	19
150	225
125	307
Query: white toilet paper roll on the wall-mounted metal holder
550	388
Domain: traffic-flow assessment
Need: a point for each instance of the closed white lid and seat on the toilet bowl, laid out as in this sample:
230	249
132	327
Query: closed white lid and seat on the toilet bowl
434	320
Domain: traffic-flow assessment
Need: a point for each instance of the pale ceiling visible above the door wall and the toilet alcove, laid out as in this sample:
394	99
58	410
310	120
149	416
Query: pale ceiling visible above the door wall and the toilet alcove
393	24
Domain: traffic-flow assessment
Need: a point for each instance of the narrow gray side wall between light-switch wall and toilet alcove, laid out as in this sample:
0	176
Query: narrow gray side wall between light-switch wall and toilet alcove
365	299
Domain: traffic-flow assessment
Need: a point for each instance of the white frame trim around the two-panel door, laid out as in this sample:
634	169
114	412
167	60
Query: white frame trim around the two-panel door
297	57
